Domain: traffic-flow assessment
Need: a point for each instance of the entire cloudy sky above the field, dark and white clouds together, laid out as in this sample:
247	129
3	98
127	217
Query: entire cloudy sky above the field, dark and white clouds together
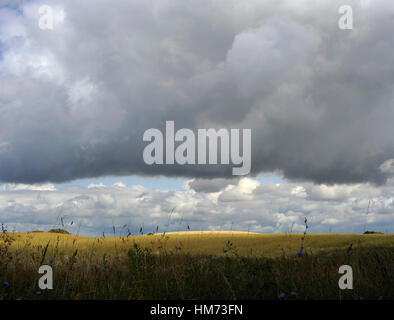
76	100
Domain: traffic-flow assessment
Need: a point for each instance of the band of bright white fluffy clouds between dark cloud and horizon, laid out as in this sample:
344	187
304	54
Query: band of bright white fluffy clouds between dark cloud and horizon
247	205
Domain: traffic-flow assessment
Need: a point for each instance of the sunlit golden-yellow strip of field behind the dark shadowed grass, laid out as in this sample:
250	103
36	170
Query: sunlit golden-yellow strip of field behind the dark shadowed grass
242	243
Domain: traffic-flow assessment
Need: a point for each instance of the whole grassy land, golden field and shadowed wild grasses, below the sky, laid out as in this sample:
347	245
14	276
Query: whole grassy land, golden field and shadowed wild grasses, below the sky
196	266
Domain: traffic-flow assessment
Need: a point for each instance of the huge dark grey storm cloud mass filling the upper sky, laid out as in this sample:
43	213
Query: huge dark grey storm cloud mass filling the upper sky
75	101
